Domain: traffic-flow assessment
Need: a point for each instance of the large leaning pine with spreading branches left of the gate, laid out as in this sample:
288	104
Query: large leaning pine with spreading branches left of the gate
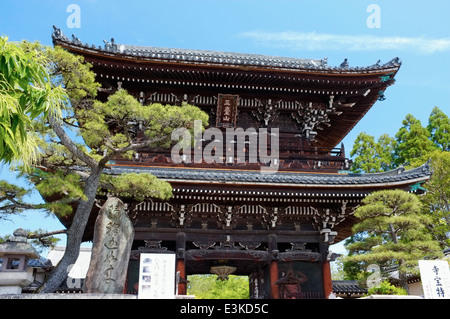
76	147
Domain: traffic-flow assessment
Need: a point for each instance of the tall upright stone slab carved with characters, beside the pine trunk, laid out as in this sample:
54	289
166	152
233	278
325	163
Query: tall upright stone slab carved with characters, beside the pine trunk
113	237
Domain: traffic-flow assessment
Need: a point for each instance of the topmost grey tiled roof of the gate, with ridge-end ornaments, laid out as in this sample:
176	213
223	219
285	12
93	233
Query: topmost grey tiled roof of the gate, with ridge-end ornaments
218	57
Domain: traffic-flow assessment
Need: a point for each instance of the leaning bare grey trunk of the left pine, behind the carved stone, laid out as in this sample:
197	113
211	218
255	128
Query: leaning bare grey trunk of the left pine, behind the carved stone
74	234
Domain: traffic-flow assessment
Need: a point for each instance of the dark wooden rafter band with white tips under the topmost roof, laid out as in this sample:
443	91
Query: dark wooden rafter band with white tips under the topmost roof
172	75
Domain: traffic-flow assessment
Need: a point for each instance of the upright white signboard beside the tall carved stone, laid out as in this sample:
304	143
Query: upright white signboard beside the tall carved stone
157	276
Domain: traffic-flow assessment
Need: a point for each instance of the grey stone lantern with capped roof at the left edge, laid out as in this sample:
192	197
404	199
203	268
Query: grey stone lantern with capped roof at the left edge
15	273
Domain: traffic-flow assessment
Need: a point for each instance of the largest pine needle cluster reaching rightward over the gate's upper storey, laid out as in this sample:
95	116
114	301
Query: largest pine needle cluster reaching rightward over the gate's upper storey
114	123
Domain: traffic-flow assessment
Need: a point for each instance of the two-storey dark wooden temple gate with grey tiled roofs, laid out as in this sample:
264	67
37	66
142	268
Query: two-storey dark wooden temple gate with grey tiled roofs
275	228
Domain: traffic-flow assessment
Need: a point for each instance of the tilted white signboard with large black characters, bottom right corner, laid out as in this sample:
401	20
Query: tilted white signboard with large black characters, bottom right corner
435	276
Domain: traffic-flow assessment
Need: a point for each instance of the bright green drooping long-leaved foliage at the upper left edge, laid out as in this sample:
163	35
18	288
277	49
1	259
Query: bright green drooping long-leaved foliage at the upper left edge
26	93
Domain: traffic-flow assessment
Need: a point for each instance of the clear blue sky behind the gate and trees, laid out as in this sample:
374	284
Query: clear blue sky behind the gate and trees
416	31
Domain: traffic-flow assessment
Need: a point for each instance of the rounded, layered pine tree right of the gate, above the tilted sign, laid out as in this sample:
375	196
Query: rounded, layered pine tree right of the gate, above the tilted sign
393	233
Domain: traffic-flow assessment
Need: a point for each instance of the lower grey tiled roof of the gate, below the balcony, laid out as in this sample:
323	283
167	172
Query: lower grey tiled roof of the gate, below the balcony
398	176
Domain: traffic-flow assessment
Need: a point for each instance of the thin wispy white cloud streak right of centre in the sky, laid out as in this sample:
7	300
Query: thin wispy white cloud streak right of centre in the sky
322	41
